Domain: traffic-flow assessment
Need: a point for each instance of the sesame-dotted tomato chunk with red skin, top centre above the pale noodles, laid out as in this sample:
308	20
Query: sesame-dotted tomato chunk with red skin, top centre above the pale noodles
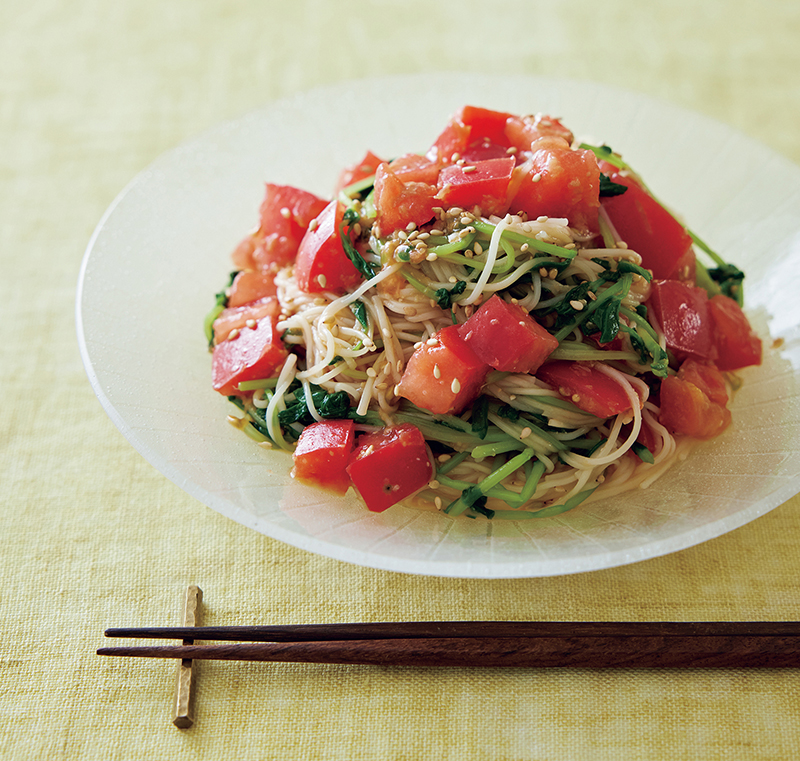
479	183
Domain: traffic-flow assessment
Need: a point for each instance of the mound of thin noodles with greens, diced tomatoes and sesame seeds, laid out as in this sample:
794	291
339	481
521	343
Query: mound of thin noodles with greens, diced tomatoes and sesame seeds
506	326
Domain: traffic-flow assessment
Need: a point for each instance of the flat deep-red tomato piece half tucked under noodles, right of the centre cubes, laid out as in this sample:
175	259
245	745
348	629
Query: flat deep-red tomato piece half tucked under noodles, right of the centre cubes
586	387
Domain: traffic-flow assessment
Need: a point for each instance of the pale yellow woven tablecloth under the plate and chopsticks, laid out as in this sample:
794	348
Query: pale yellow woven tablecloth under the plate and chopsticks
90	93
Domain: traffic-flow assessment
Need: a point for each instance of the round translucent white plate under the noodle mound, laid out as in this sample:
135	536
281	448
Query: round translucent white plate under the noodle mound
162	250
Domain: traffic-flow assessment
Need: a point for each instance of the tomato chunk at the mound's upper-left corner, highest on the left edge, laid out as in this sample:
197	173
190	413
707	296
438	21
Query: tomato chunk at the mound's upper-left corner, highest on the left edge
285	213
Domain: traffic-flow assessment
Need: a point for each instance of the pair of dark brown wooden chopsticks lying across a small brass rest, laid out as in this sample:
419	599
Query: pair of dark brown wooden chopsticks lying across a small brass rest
602	644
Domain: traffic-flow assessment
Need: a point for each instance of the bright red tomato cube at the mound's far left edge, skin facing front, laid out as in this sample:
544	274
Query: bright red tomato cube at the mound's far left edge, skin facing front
254	353
